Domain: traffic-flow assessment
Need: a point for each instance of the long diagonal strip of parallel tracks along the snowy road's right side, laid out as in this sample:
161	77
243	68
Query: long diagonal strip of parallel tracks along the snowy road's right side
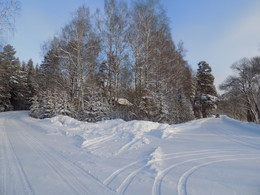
70	174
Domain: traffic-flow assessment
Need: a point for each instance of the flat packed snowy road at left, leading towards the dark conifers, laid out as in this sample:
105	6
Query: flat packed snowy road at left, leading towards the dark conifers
29	165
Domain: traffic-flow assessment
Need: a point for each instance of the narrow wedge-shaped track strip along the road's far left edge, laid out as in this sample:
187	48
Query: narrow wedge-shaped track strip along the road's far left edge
12	168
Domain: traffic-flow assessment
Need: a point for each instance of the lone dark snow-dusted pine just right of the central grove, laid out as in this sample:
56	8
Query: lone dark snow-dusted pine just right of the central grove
206	95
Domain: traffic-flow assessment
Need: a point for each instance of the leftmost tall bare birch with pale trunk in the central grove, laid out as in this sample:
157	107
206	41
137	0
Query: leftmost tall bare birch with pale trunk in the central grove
78	44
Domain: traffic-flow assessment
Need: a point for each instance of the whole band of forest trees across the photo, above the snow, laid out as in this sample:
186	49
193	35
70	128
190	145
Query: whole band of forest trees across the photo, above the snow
122	62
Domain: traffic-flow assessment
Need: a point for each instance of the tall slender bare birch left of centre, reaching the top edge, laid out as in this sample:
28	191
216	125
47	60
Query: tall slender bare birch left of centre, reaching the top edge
112	29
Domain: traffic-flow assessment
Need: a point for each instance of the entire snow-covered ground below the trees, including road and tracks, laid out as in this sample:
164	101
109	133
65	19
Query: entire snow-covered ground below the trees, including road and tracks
65	156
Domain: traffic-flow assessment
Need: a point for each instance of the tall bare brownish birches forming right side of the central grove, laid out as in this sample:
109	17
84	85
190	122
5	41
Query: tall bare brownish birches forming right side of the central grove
160	70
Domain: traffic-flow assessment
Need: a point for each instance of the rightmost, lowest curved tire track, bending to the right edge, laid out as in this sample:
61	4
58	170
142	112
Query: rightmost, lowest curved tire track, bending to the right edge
182	183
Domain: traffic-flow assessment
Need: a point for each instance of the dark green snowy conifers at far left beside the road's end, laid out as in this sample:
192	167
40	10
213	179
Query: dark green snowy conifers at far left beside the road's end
17	81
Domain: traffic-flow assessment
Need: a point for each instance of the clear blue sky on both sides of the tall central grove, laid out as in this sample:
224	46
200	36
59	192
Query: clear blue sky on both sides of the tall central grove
217	31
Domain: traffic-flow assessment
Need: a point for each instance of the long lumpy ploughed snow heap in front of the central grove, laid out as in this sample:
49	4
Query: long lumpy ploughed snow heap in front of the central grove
130	135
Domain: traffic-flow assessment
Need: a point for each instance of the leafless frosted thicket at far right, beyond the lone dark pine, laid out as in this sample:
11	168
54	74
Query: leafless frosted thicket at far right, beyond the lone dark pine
242	97
